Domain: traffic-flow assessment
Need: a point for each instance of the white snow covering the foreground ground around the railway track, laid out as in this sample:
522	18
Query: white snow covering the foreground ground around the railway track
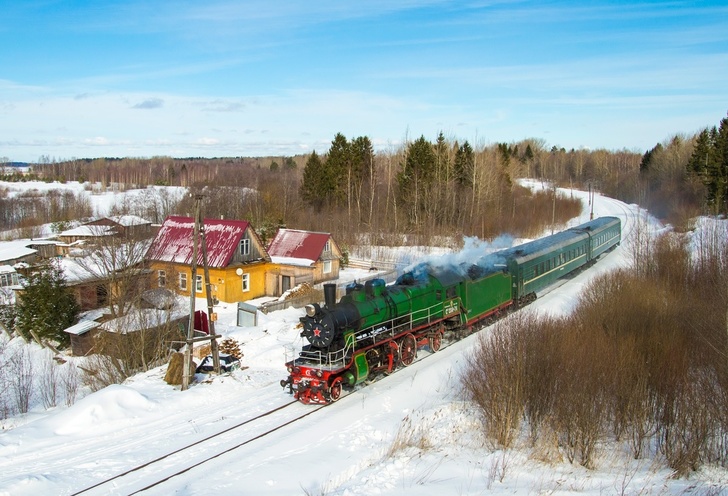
409	433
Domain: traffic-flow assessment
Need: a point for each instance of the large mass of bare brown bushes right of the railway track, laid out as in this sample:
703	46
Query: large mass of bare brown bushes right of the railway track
641	361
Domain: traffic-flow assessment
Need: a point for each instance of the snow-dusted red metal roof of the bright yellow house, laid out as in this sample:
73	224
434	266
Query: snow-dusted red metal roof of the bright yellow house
174	241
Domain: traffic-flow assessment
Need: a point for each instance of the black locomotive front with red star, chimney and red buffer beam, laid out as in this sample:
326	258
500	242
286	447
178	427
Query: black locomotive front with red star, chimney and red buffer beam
315	376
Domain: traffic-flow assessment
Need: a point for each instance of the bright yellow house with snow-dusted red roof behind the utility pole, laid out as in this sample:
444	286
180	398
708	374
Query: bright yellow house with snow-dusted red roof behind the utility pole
236	259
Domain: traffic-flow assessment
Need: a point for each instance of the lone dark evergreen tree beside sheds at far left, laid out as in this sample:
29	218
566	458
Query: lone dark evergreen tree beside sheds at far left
46	306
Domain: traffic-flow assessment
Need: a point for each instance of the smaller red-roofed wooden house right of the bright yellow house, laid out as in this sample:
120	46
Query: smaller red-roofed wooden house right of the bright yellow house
301	256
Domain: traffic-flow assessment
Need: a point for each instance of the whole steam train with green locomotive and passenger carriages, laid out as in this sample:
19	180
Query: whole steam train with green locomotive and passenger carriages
376	328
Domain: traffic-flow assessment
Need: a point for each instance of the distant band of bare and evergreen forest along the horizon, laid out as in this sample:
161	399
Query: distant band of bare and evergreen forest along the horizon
406	194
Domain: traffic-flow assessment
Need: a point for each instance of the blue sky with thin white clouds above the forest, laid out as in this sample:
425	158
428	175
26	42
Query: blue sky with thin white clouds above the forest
251	78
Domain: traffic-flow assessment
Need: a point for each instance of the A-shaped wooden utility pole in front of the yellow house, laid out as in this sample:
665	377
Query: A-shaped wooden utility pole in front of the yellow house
199	229
